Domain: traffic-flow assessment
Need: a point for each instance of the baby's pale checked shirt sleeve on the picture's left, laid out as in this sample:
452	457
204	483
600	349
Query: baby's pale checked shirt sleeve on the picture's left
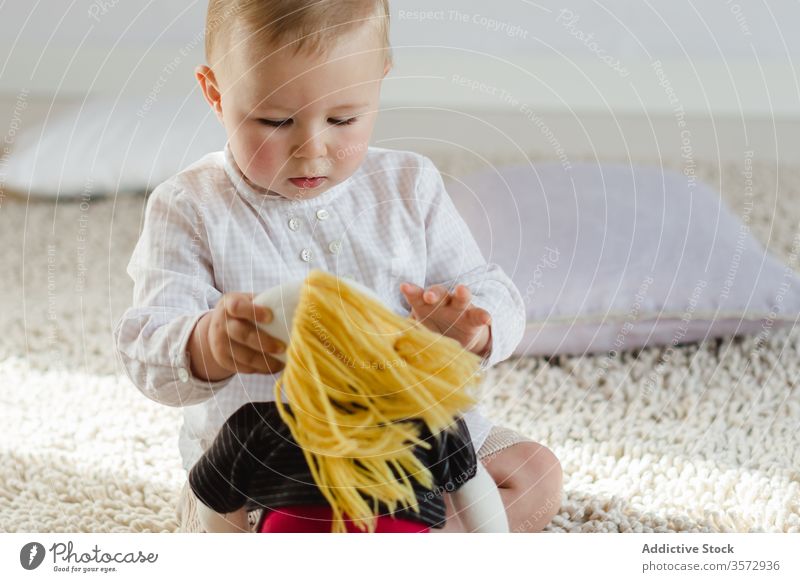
173	286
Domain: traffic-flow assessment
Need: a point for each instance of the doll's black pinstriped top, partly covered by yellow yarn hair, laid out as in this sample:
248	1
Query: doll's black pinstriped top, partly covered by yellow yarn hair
254	462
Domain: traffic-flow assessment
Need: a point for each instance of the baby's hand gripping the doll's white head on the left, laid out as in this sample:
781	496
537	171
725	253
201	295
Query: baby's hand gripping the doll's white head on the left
227	341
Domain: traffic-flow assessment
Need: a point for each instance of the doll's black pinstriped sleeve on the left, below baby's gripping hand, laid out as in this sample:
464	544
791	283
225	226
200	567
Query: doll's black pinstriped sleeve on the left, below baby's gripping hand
221	478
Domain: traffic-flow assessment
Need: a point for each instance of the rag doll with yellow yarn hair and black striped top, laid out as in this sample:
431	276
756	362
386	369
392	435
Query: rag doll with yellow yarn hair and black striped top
365	432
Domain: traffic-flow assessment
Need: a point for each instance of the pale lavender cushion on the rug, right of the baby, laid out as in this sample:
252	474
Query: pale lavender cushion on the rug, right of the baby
610	257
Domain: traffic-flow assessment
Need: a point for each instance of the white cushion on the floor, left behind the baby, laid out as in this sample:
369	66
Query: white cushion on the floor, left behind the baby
101	148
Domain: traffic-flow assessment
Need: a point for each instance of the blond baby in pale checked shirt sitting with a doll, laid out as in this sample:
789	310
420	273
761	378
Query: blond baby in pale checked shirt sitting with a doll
296	84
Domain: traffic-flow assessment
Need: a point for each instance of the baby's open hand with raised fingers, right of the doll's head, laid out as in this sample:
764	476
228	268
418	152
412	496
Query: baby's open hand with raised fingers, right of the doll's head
450	314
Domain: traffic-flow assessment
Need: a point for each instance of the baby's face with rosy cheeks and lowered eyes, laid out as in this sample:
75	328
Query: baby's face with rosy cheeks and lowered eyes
290	118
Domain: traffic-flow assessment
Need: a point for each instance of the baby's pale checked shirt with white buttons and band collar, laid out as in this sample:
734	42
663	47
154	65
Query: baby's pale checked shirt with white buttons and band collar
207	232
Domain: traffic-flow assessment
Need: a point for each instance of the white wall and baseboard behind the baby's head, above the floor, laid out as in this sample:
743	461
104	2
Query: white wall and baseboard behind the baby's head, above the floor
730	57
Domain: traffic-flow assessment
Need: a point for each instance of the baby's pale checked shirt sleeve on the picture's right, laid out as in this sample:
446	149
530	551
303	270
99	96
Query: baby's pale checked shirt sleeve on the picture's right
453	257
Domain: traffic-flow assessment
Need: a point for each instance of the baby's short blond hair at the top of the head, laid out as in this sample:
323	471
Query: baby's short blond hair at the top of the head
313	26
